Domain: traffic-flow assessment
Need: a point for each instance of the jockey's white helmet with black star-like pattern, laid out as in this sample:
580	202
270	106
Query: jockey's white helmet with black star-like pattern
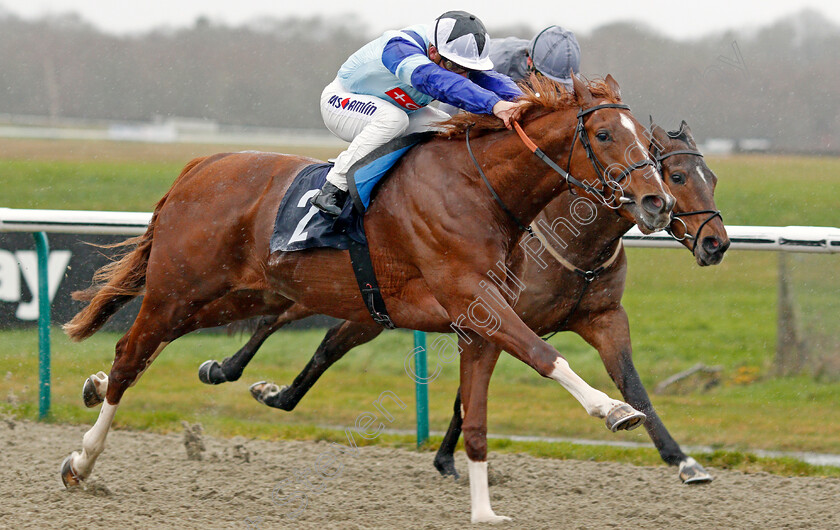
463	39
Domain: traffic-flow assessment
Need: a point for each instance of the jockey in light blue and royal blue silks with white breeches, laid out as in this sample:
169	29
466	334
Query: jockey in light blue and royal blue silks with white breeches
382	91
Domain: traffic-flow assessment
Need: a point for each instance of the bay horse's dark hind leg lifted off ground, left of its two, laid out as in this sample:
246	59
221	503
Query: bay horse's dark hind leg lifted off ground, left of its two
230	369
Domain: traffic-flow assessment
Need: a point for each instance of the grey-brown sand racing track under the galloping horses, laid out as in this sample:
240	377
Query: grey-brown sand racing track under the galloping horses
145	480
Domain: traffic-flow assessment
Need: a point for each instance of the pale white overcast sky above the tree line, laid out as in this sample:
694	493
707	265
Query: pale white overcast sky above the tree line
677	19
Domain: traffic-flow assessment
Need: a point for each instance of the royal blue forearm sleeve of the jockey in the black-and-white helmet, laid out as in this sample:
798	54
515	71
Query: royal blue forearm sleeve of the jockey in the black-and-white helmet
453	89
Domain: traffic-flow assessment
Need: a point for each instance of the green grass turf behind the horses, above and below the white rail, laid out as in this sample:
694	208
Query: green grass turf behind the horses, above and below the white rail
680	314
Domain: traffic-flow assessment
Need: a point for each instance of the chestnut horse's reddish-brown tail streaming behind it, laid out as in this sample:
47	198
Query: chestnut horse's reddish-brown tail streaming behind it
120	281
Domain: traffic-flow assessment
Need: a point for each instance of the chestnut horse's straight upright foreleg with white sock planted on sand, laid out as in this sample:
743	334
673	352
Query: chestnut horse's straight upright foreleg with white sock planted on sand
478	359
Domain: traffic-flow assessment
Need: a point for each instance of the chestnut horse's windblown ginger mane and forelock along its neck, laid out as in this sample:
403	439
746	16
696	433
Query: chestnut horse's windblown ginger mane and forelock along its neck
543	95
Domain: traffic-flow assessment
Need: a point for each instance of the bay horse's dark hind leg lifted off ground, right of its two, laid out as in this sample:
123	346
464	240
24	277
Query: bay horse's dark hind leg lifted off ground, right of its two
340	339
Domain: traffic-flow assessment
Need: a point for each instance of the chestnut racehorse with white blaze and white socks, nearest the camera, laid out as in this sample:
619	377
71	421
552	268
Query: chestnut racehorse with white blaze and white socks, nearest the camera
437	230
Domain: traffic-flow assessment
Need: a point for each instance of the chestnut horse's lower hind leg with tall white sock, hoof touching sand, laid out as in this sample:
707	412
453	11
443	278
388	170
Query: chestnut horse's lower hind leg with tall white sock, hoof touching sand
134	353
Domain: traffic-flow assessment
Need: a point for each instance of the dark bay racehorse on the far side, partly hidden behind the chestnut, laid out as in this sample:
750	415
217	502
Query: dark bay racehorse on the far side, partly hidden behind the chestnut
559	295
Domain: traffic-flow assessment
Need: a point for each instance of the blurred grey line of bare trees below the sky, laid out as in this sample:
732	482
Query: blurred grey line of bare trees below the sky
780	82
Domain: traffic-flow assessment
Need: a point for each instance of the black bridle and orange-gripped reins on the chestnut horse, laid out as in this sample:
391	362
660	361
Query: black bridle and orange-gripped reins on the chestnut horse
609	199
